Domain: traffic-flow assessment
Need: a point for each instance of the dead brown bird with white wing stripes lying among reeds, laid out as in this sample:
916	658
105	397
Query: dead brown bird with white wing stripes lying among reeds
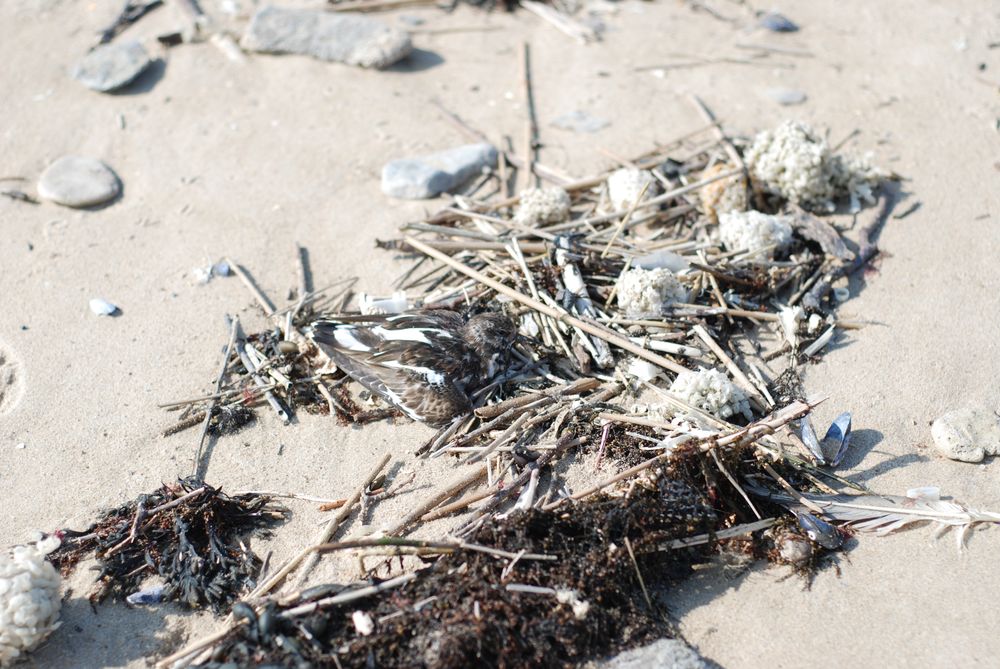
425	362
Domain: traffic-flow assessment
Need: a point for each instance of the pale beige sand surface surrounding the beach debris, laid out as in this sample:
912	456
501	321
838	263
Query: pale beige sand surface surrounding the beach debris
245	160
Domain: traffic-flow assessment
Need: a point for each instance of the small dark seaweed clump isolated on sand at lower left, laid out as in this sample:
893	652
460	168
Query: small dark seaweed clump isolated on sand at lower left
195	545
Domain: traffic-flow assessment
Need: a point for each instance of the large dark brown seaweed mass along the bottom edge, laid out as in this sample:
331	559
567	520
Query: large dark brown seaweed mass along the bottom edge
463	611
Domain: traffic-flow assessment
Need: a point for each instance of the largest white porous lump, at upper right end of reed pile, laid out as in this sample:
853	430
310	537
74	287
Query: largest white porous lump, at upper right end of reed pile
794	162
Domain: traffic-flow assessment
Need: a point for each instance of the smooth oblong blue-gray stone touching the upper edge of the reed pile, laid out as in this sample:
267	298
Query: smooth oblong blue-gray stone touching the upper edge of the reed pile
428	176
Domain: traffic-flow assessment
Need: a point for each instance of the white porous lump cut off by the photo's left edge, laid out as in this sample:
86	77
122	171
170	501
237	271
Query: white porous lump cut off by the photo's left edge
29	598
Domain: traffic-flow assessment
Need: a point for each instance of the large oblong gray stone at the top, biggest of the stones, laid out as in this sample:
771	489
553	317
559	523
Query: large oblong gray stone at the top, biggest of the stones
342	38
